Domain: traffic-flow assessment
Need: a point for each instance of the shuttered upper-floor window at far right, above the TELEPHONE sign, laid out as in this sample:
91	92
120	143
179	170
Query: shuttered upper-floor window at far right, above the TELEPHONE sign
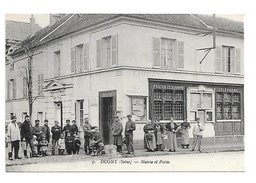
227	59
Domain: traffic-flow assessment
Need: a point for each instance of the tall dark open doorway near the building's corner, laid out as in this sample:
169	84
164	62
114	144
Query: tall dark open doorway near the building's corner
107	112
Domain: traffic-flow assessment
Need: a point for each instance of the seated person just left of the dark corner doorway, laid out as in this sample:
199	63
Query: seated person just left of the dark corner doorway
96	144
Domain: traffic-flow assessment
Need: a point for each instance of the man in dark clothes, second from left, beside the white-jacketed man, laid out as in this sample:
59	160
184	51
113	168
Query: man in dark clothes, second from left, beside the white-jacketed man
27	134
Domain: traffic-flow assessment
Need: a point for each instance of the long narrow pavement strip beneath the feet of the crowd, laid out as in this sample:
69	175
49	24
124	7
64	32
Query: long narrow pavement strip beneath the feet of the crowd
138	153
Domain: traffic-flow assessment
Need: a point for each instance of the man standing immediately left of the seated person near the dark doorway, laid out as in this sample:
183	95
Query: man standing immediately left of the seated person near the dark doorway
87	135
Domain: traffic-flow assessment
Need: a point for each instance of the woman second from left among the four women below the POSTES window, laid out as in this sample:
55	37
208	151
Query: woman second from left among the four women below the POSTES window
159	131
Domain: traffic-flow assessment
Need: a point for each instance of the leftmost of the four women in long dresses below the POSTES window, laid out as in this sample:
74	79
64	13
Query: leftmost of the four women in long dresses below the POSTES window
149	137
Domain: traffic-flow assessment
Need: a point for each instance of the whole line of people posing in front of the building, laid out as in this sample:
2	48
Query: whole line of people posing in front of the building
157	137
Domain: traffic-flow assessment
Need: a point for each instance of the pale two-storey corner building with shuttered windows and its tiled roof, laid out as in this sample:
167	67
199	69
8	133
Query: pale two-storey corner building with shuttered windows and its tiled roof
149	66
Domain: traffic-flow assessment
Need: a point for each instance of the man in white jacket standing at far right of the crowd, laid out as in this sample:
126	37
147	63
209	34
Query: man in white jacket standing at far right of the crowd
197	134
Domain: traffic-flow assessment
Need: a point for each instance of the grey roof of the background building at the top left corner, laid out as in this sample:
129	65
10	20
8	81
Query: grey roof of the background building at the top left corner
18	30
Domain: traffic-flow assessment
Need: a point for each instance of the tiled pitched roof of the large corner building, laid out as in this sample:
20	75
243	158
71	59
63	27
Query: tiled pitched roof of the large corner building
75	22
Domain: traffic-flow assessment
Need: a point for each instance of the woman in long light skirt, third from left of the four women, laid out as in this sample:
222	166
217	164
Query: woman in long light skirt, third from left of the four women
172	129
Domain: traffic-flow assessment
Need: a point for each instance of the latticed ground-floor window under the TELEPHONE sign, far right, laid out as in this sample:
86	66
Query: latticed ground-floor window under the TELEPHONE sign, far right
228	105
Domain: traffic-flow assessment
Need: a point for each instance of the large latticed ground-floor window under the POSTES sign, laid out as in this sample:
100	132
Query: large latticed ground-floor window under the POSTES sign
168	103
